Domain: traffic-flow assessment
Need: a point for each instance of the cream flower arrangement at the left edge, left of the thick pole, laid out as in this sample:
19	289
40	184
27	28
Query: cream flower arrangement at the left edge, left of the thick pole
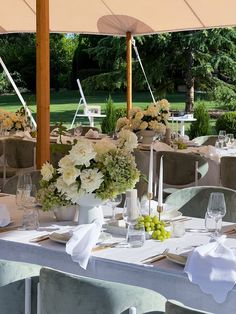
16	121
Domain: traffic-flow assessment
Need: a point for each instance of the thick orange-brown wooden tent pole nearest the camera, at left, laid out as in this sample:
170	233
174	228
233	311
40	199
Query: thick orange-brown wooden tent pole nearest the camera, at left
42	82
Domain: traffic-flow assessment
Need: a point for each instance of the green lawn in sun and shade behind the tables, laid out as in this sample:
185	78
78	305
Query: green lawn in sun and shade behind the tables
64	103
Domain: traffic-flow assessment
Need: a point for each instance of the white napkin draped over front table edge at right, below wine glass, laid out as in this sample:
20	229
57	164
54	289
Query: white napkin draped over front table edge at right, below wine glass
213	268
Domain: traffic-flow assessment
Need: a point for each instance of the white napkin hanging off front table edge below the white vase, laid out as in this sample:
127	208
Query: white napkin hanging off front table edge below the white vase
82	242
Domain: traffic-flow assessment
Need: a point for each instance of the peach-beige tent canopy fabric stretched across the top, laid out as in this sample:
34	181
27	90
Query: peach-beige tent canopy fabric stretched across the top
114	17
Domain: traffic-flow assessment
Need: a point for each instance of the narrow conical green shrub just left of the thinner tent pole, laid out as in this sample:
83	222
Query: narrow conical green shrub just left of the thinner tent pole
109	123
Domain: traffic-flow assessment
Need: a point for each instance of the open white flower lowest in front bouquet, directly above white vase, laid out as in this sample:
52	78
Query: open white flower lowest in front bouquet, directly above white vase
91	179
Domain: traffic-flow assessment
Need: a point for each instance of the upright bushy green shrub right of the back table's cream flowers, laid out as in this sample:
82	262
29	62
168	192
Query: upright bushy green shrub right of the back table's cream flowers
202	125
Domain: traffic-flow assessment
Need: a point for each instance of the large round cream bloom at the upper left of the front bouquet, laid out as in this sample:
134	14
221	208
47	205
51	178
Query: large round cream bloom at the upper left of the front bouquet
82	152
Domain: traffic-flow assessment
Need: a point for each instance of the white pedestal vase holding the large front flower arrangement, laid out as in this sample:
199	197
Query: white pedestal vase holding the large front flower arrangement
90	209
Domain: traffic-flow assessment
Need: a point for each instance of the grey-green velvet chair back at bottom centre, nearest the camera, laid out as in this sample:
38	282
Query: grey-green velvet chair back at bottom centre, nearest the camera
74	294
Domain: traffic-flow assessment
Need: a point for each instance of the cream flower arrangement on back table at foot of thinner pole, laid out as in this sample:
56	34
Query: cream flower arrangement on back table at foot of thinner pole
155	118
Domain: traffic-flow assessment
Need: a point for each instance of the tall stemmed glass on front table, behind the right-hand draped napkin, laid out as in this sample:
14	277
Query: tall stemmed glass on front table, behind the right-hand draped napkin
216	209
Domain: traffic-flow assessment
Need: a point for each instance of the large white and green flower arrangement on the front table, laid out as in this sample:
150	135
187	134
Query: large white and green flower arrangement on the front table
105	168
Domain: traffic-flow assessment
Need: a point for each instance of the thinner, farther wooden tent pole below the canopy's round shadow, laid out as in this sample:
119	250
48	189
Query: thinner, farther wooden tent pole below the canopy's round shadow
129	71
